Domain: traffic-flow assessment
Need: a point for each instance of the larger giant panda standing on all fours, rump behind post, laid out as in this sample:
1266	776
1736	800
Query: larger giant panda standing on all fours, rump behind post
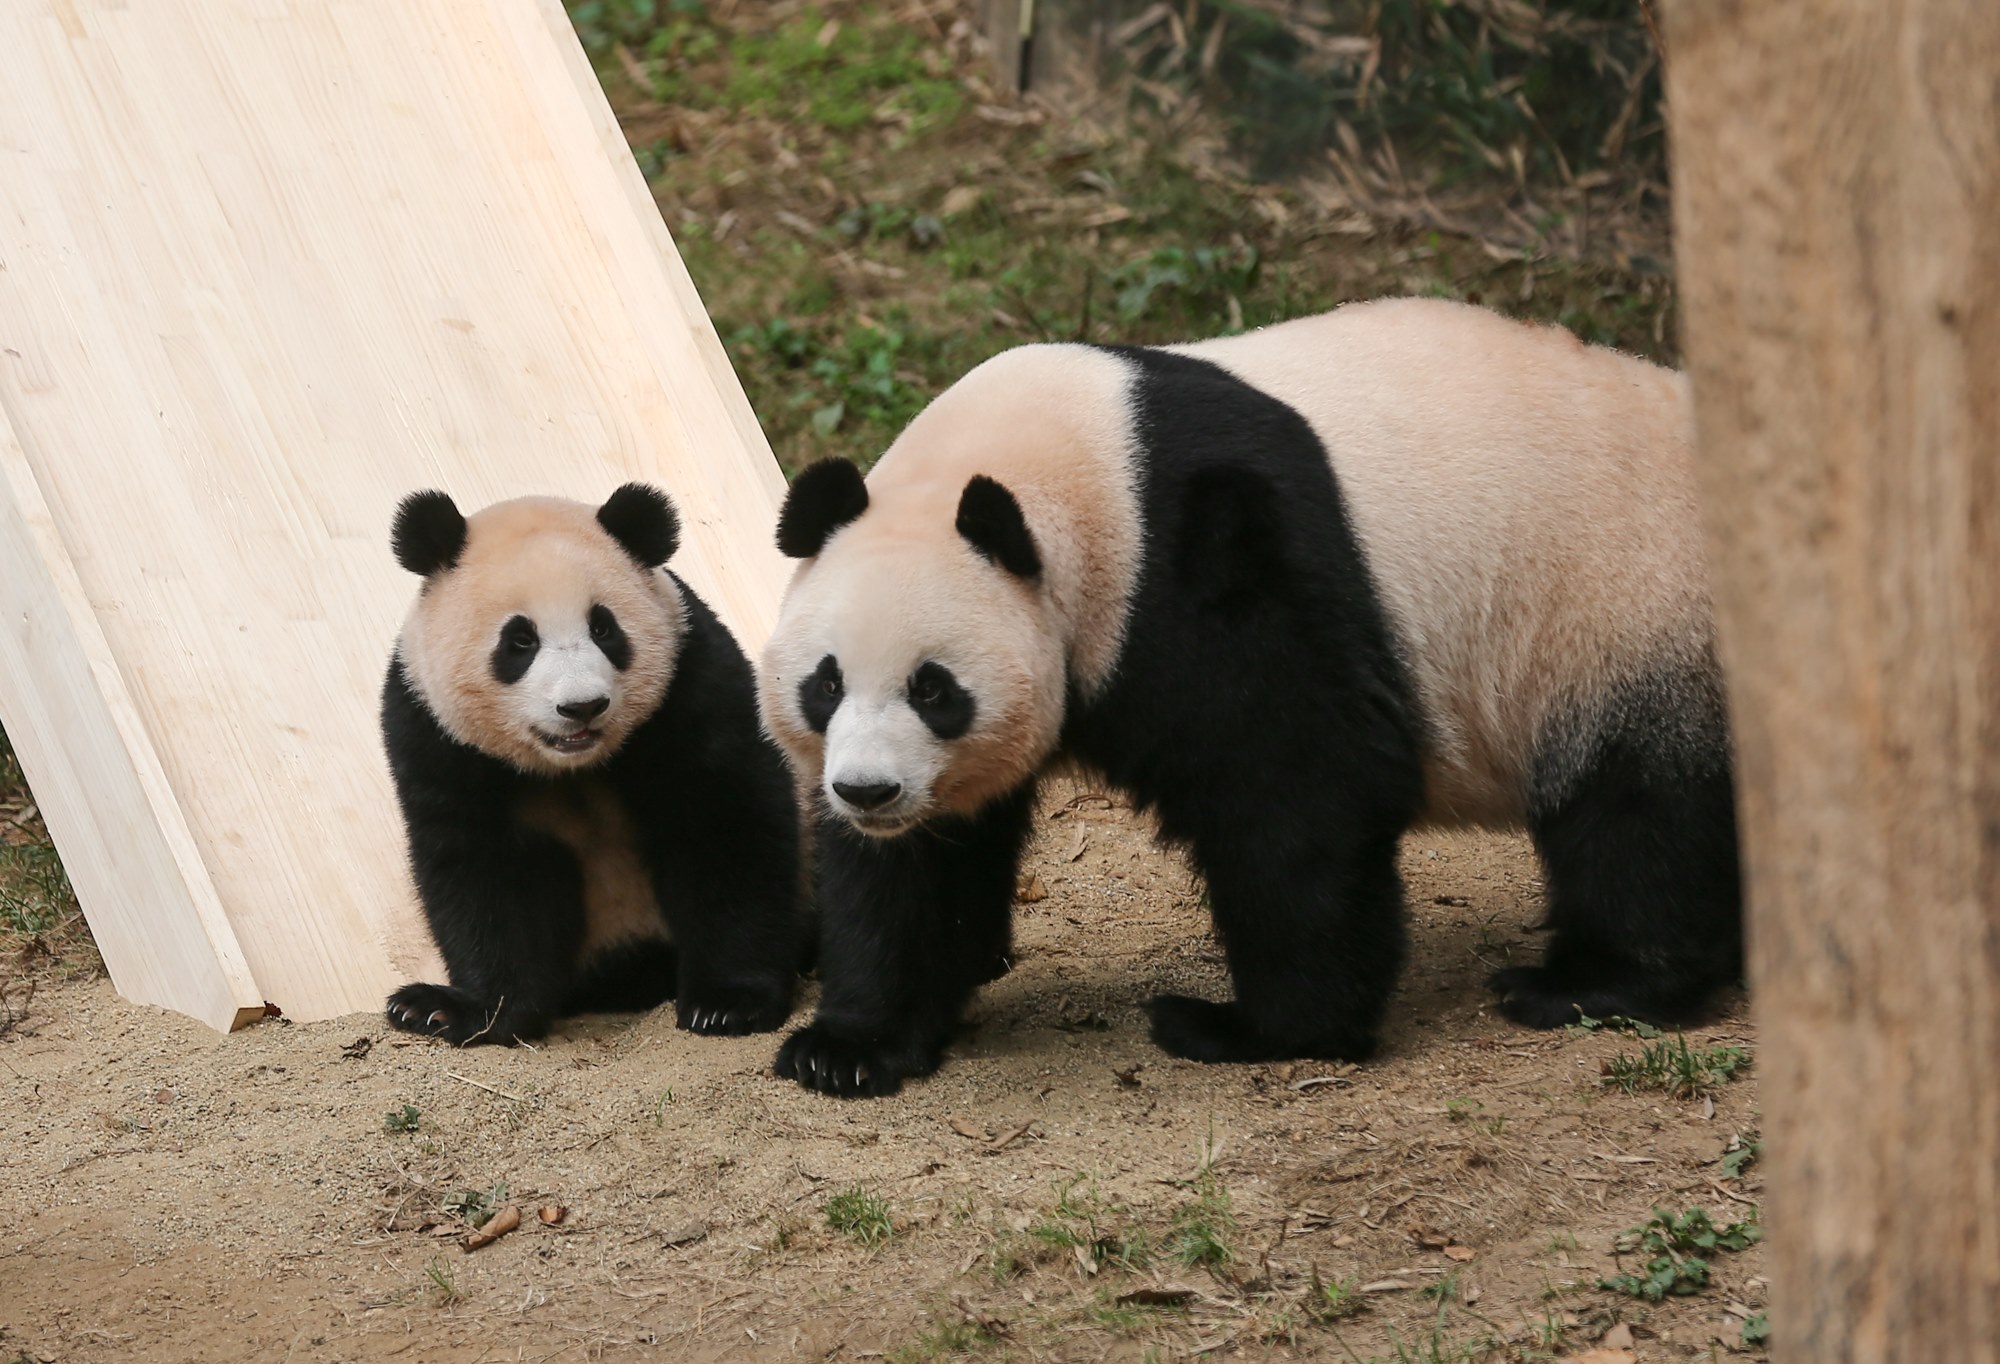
1295	591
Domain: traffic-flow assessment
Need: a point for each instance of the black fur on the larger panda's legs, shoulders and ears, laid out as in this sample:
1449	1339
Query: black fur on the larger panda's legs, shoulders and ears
1263	709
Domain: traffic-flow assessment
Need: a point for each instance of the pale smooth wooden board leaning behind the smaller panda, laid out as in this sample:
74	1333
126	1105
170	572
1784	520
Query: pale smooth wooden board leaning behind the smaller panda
267	267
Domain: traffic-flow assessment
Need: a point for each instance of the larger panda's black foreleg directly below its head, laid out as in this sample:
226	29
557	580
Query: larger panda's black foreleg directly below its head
909	929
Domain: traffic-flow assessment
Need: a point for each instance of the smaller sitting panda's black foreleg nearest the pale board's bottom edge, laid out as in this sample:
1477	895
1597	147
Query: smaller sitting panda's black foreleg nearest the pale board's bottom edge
507	917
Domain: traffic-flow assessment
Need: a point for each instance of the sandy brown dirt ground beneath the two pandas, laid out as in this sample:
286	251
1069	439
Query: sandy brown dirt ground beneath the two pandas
175	1195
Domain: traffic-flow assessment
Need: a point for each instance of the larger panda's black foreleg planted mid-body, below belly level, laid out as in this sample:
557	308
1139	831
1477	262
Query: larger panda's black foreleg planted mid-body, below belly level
1313	933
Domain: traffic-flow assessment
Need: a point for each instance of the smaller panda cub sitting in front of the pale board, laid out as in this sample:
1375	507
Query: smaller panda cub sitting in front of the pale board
595	817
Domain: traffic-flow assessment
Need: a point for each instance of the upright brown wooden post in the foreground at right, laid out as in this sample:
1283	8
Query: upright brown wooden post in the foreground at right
1839	191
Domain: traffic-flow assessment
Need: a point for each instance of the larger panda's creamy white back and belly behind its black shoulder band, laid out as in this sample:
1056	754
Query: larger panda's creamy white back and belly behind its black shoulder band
1527	505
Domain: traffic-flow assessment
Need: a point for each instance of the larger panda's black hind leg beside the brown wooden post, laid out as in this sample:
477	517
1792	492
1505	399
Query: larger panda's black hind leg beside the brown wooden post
1643	891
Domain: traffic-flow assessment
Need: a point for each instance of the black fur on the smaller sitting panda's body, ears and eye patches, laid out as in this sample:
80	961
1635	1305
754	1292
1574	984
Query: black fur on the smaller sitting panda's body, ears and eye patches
711	809
